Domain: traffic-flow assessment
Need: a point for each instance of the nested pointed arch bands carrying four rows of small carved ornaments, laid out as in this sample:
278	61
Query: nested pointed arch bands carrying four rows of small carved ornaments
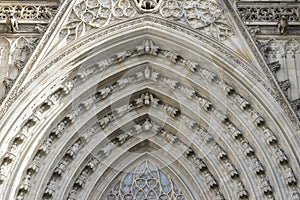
202	136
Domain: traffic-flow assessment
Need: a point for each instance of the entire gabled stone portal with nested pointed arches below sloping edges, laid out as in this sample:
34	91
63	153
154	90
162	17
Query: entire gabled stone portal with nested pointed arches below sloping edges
100	104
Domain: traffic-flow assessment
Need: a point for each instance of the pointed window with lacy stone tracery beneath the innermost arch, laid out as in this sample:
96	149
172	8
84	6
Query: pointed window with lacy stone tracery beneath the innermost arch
145	182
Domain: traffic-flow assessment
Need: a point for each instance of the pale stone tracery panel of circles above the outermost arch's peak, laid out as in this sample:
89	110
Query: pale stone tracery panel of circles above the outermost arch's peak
198	14
